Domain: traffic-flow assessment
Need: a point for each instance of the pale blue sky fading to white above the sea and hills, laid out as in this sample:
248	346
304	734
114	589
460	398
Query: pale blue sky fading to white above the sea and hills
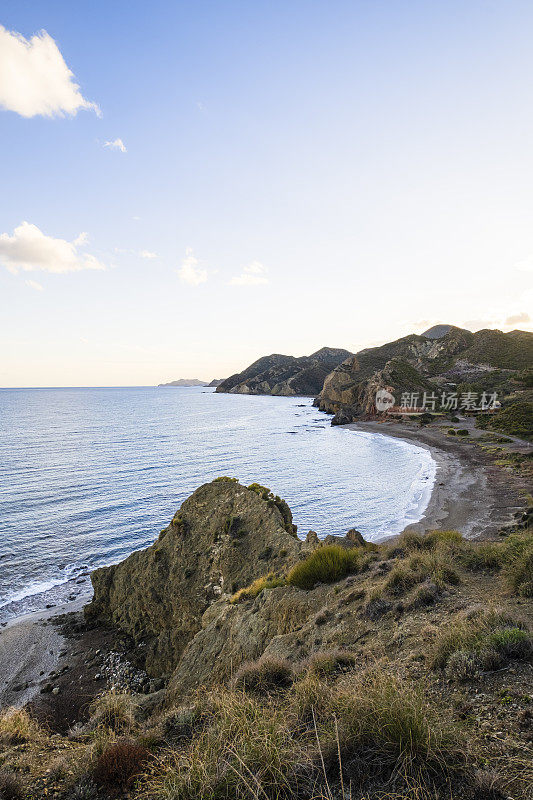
329	173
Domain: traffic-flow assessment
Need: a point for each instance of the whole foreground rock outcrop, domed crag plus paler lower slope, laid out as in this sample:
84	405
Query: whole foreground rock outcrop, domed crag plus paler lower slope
174	599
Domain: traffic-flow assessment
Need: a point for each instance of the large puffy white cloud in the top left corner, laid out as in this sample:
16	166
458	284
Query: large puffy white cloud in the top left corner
34	79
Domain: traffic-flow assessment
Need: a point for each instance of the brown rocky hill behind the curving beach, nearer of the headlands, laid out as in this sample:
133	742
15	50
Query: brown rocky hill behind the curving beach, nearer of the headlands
441	358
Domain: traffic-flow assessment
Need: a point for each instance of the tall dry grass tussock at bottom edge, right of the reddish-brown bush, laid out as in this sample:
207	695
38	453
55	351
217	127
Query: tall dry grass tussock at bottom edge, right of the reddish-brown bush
247	749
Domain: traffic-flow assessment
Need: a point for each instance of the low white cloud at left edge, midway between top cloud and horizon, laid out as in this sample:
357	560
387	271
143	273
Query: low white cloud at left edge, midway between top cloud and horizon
29	249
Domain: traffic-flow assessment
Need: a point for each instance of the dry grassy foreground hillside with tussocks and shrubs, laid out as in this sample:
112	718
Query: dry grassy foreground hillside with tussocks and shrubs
423	707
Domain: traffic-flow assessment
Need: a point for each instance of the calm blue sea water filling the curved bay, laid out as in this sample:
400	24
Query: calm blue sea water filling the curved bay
89	475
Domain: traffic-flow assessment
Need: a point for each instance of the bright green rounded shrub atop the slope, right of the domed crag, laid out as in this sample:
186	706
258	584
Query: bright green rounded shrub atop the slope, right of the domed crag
326	564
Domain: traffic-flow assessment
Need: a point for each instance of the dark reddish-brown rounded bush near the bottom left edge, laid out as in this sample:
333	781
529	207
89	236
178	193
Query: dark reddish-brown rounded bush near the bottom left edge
119	765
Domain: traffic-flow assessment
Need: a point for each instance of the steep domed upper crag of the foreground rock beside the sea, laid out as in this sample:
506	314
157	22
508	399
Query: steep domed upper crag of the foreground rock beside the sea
223	537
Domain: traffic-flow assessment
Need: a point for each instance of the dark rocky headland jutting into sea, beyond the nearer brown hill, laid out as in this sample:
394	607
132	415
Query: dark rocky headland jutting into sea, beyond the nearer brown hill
286	376
